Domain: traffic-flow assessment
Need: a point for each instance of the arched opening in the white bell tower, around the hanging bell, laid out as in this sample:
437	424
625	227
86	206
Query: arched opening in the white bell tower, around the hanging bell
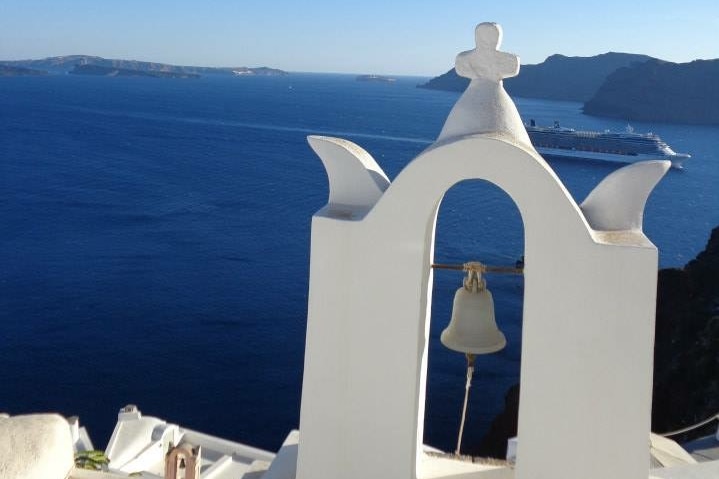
477	221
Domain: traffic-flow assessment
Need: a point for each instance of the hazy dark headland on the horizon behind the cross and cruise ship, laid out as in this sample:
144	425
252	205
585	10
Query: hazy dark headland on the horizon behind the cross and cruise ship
618	85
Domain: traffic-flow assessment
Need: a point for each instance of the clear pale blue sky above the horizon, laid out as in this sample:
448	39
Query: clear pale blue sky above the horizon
371	36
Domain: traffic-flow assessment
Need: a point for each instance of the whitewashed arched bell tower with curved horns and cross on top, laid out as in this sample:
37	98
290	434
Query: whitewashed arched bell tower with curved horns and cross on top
589	304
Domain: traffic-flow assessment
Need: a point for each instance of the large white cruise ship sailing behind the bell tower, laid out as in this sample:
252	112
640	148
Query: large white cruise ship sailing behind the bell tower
626	147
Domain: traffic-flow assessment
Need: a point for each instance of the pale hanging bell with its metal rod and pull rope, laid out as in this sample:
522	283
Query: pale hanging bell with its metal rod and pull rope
473	329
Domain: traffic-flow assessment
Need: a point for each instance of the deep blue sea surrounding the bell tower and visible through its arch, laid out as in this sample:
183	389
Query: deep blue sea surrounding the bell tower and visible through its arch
154	242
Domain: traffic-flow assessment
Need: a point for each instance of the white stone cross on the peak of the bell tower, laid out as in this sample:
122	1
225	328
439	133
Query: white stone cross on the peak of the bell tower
485	61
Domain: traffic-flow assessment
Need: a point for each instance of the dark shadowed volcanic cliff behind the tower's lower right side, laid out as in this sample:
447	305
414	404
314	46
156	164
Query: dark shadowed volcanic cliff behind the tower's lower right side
686	355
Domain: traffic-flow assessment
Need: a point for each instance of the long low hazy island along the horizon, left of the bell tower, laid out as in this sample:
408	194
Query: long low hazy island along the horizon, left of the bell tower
92	65
